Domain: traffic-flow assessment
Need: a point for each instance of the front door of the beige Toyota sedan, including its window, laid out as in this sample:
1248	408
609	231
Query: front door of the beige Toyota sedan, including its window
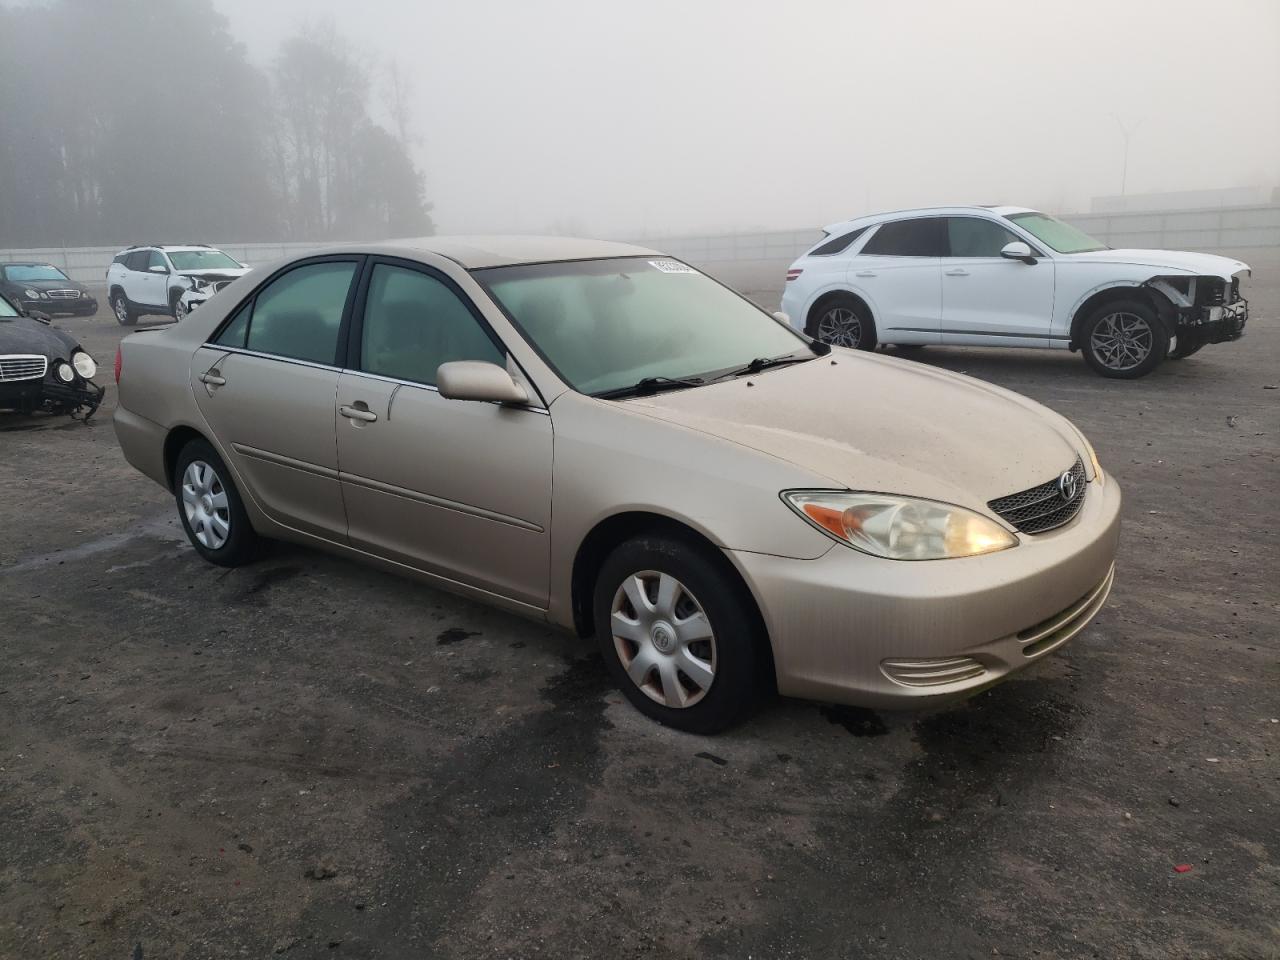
460	490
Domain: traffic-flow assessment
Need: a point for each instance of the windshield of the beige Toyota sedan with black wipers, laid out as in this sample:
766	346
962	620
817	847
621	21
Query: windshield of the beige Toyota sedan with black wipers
607	324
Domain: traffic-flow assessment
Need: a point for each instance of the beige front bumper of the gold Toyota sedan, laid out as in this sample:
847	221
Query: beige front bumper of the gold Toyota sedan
889	634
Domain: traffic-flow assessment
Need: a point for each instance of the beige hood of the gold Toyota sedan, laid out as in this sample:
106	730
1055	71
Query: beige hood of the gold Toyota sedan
884	426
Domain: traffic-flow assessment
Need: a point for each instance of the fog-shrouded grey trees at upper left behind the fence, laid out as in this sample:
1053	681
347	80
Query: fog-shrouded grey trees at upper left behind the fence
141	122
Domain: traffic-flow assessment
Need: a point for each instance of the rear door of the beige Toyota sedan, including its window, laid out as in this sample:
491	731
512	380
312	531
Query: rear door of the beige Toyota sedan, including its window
267	385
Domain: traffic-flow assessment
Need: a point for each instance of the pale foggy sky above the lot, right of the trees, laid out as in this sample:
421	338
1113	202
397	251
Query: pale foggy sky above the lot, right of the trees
621	120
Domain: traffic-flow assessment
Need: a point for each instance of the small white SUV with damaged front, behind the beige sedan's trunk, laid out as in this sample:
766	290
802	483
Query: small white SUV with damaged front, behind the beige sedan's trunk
167	281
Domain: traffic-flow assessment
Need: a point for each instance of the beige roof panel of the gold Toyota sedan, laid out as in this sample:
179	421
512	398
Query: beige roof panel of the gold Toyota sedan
478	253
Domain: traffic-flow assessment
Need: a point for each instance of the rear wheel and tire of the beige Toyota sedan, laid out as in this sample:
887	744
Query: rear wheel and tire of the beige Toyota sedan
211	508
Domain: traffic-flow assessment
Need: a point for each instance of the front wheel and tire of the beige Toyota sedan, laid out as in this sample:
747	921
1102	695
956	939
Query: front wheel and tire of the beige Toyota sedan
696	650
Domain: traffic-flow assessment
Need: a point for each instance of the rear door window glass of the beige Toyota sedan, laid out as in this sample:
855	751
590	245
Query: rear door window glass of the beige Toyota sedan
298	316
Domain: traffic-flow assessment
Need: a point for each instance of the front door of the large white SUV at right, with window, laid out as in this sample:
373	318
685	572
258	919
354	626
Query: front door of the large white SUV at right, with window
989	300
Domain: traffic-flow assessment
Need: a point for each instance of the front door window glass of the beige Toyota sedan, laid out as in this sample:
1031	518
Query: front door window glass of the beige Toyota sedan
414	323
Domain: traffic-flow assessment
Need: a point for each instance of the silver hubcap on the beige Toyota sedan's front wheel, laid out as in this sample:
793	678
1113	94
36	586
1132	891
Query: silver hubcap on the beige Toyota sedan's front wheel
664	639
